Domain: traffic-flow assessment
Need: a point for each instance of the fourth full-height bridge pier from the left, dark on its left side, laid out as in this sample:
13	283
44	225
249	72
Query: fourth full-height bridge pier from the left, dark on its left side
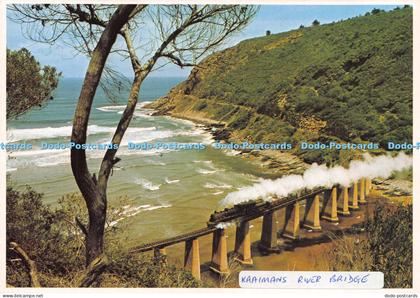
268	241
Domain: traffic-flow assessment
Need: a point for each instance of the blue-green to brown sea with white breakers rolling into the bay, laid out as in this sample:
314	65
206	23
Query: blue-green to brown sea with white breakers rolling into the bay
162	192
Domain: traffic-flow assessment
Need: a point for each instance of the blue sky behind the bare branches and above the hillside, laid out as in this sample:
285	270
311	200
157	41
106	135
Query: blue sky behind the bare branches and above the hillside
276	18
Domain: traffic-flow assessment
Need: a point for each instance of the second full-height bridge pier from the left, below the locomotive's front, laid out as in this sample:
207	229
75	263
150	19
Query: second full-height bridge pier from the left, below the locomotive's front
219	260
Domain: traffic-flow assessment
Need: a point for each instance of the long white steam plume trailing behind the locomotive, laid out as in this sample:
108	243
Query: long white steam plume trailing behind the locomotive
321	176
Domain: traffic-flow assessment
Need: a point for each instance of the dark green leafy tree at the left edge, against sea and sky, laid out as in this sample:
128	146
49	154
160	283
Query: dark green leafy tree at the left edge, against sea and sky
28	84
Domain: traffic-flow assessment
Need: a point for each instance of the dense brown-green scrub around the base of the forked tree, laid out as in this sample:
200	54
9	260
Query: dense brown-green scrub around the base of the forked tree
53	241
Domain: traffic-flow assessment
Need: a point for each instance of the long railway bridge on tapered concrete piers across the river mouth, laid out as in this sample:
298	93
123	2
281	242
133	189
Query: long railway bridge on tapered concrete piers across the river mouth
321	203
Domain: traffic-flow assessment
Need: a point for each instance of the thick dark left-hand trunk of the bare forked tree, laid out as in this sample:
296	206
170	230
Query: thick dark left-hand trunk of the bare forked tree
94	194
